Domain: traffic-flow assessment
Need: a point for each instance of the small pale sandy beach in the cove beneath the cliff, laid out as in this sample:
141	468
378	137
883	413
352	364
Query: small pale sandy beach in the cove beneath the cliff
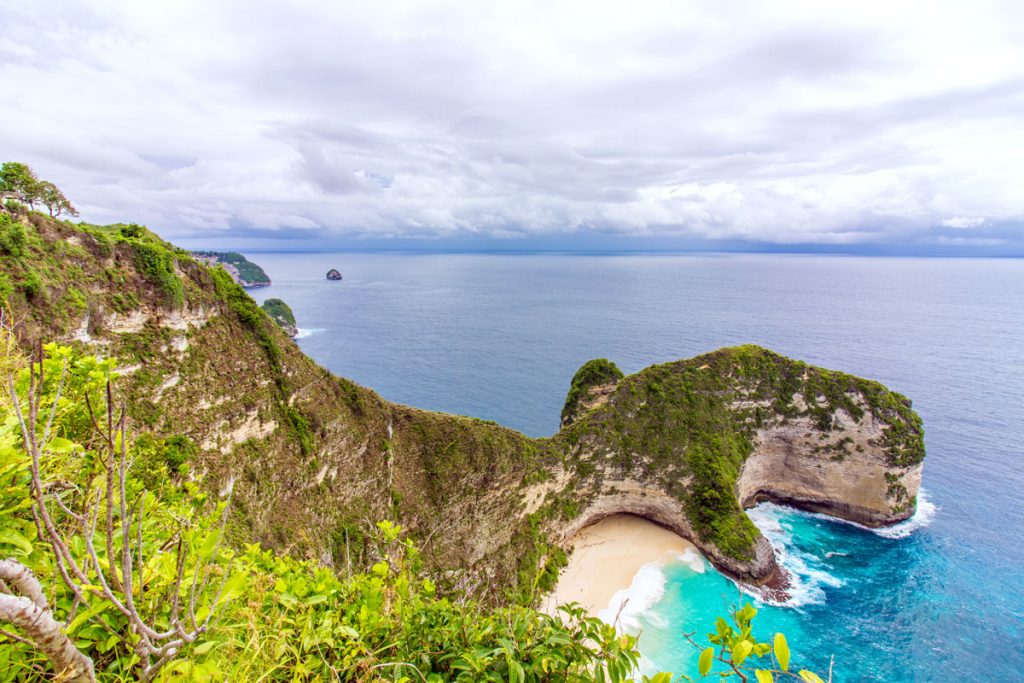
607	558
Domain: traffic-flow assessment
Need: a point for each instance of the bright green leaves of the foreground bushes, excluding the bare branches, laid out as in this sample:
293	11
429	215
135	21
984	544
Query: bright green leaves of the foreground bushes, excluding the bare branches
283	619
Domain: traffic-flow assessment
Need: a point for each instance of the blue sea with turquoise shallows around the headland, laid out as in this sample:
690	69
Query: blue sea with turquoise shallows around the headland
500	336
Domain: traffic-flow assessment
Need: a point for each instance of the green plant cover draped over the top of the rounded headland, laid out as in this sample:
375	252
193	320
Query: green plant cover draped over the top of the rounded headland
696	420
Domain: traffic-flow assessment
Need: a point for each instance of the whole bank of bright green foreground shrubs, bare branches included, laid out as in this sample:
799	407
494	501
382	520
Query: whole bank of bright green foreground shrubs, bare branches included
235	614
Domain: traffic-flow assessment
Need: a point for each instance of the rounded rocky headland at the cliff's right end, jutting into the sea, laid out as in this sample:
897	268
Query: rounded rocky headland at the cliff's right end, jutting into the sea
691	445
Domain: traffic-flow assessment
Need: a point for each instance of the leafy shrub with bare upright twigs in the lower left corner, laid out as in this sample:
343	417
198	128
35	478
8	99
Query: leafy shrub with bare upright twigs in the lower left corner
104	539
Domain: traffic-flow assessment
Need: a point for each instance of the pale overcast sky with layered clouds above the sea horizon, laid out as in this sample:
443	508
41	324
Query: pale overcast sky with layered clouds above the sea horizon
872	127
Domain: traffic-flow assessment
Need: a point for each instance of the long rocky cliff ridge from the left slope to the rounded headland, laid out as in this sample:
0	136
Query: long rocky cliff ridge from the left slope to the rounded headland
315	460
